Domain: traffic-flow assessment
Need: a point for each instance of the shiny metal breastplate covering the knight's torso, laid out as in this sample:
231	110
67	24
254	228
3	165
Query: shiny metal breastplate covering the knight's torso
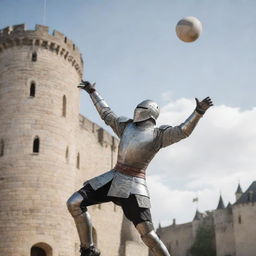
136	146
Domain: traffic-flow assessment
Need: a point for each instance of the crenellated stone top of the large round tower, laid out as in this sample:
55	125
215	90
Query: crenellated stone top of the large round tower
40	37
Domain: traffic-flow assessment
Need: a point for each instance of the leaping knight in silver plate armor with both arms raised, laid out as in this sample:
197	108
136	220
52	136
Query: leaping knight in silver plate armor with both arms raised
140	140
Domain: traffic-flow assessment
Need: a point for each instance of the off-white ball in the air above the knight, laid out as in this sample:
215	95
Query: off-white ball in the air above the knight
188	29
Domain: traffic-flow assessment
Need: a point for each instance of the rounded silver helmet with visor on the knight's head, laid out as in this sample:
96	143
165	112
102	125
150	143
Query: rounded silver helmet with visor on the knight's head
145	110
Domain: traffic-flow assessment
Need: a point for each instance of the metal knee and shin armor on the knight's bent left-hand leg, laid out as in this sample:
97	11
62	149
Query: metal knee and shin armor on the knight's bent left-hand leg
82	220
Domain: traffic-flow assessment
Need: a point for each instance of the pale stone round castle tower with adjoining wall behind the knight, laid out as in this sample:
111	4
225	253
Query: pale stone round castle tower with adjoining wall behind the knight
47	149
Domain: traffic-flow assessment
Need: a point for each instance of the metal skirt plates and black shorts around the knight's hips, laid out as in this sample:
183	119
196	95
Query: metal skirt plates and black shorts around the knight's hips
129	192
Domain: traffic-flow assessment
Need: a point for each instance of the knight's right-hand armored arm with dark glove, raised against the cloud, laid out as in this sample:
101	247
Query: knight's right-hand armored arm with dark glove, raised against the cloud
169	135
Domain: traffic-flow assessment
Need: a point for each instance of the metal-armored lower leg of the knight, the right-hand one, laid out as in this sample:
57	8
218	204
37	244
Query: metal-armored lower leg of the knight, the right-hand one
151	239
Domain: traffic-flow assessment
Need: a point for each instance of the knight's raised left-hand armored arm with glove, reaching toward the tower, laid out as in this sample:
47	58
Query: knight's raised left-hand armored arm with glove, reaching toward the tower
106	114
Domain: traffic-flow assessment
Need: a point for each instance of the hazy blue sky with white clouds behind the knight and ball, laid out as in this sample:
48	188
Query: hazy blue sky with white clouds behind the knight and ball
131	51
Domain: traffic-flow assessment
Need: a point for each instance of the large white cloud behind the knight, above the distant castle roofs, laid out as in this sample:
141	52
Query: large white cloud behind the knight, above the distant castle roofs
219	153
